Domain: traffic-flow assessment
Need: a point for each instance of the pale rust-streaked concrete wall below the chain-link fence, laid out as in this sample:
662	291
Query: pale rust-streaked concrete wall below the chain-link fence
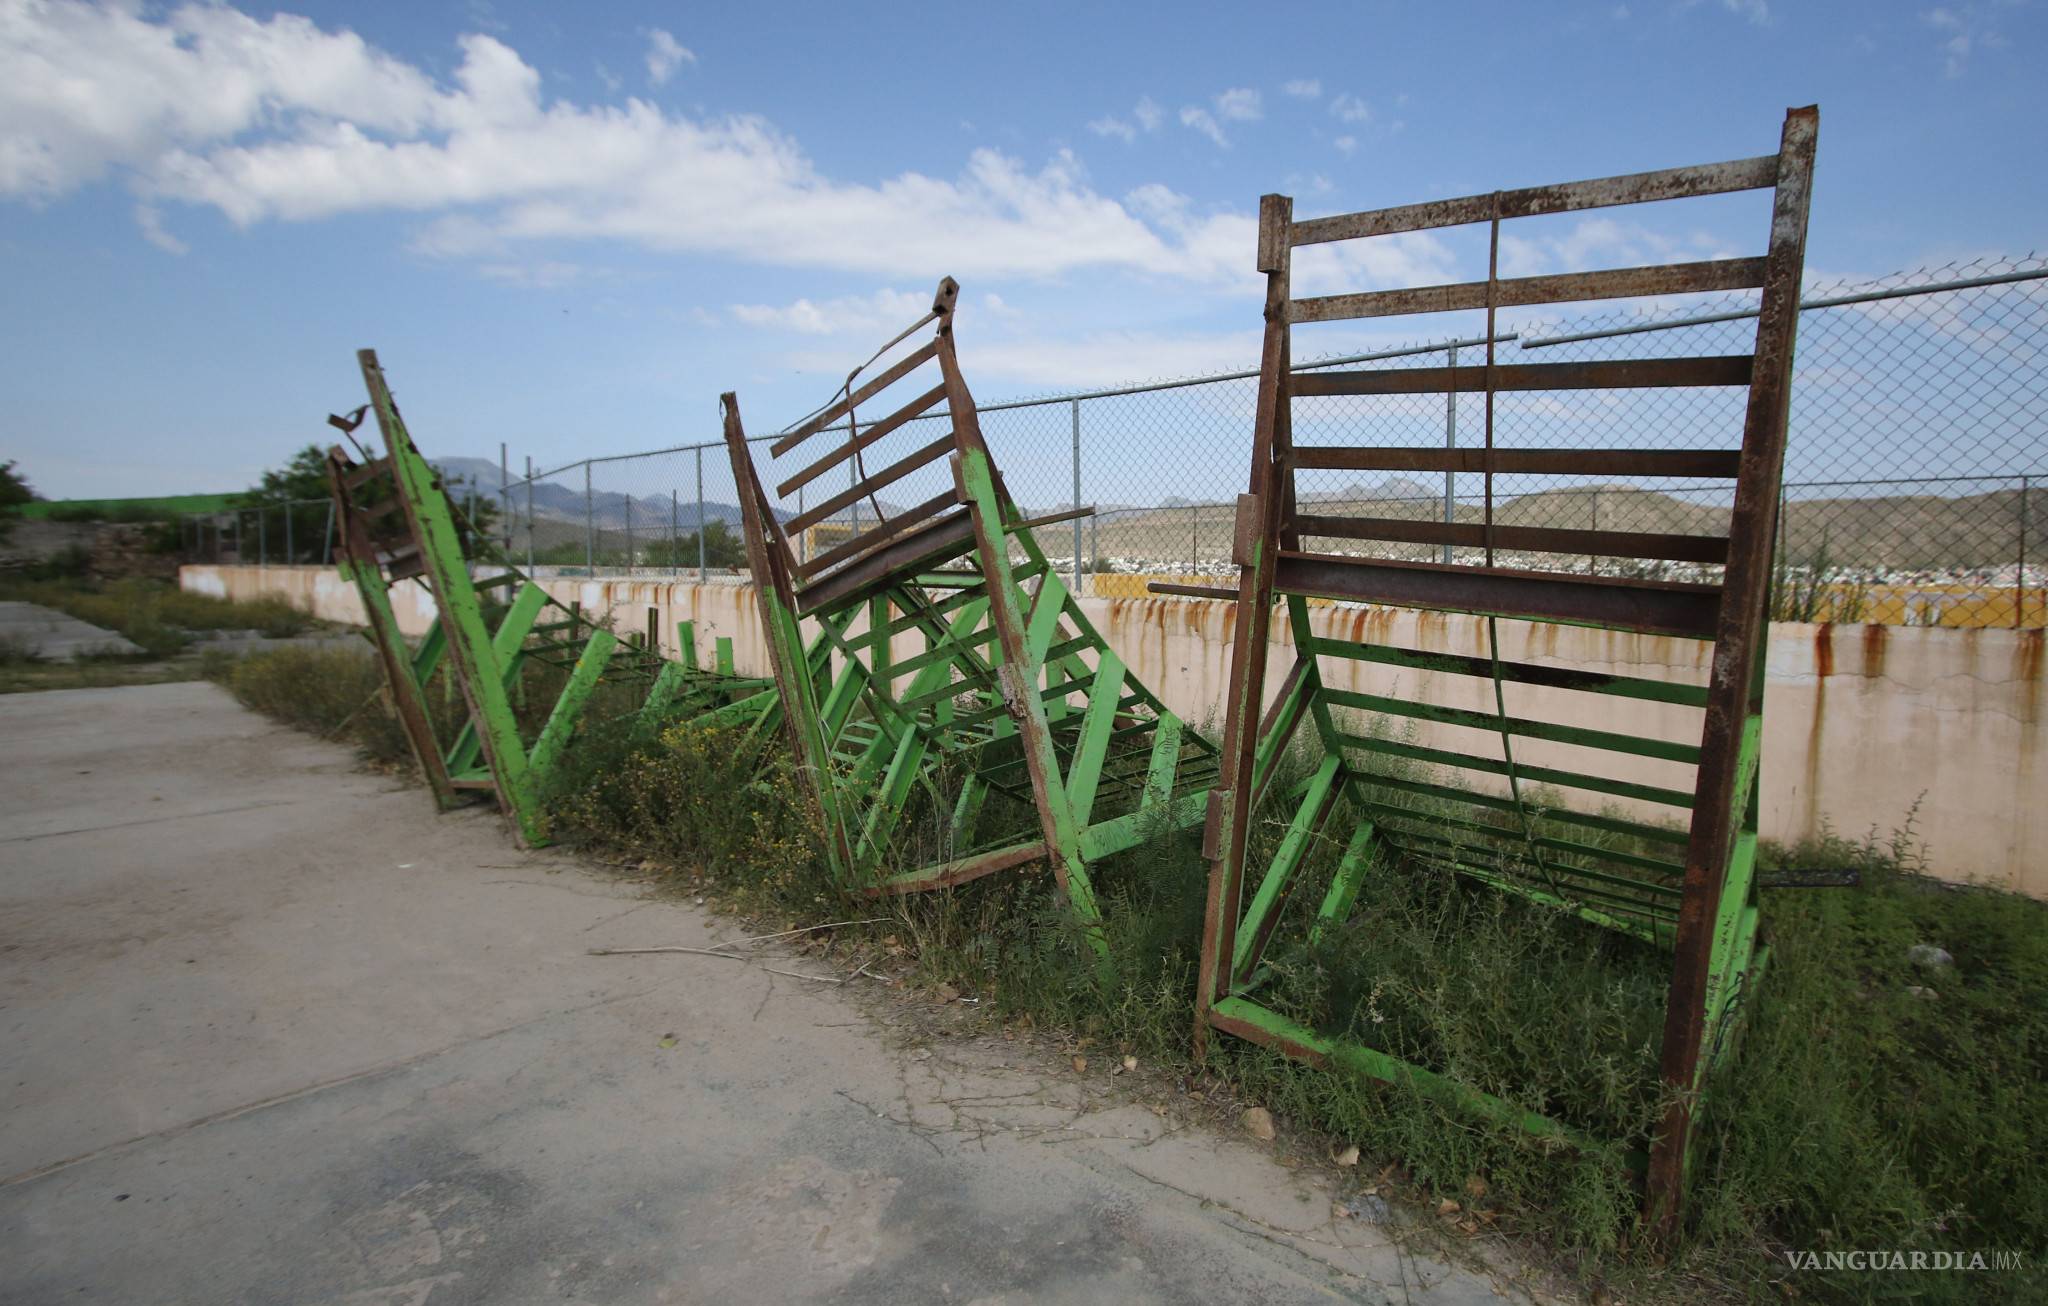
1863	724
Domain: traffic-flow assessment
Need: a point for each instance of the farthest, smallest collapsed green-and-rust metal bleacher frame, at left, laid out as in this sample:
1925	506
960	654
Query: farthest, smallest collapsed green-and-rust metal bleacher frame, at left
493	627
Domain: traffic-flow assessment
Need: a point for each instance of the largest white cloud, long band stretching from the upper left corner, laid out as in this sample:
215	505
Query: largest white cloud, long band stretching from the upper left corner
284	122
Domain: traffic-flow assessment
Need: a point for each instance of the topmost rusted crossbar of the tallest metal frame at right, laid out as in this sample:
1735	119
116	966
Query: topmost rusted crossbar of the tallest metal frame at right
1570	198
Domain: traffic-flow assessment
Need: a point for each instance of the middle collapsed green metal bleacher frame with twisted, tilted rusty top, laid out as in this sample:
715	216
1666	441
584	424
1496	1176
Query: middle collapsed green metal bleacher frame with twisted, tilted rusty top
964	666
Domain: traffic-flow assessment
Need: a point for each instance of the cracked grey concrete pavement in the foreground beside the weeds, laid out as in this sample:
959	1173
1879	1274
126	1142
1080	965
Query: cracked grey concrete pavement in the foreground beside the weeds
273	1033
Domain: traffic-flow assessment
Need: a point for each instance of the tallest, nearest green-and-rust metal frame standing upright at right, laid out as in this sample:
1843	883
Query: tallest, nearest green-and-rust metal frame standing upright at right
1476	810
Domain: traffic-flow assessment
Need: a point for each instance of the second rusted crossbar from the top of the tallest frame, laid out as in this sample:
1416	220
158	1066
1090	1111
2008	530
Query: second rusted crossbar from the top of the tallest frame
1564	288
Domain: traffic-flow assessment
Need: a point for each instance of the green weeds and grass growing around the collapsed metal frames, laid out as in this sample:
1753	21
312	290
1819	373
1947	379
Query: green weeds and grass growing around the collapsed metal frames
1854	1113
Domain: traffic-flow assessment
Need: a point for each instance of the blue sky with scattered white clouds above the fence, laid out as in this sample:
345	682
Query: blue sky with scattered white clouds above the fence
568	228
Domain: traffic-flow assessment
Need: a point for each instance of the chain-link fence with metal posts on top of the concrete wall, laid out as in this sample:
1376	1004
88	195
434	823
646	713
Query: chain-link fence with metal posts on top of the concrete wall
1914	474
